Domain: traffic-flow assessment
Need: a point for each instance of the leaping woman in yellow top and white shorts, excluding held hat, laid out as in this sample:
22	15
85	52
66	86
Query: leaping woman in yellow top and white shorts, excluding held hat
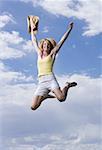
47	50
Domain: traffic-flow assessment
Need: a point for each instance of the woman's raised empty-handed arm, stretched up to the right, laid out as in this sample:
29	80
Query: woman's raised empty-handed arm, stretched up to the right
64	37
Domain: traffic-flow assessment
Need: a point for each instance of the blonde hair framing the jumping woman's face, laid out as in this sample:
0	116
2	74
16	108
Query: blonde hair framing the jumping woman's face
51	41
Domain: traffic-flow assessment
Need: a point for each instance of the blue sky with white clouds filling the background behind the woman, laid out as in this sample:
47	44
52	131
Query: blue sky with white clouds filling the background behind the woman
74	124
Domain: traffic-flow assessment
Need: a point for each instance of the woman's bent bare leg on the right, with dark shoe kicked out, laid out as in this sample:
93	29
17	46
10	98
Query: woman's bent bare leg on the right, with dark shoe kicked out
62	94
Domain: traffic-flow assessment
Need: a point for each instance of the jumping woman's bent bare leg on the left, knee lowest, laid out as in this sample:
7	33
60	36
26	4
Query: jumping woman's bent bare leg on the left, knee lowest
37	100
